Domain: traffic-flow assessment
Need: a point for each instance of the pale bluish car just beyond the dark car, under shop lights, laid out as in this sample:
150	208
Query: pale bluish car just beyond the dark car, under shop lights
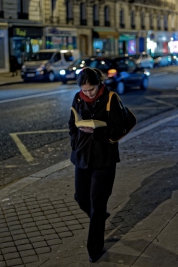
143	60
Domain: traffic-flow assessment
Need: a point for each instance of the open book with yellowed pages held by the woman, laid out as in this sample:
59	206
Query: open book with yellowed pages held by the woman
87	123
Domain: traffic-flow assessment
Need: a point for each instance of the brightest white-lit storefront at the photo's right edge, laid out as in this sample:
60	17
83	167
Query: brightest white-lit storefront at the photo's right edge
162	42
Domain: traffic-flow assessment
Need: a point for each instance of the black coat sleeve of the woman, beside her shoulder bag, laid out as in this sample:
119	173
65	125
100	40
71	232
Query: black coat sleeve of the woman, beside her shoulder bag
115	120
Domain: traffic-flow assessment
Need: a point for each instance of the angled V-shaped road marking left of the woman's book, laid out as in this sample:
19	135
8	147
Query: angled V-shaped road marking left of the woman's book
22	147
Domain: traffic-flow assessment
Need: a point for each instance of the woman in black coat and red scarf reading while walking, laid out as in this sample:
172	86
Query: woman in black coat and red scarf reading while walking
92	154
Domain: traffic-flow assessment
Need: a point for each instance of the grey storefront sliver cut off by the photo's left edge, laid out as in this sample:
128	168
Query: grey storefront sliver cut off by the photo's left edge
4	54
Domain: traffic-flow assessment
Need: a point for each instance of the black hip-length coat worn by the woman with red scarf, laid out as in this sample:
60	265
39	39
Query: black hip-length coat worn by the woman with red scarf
93	149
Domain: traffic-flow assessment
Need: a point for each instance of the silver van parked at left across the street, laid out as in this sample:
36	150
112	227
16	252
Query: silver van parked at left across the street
47	63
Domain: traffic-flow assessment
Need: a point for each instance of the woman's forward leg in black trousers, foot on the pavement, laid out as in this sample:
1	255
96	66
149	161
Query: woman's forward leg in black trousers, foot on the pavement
101	189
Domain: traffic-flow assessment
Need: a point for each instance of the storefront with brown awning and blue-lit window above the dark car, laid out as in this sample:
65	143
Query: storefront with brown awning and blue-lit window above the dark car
105	41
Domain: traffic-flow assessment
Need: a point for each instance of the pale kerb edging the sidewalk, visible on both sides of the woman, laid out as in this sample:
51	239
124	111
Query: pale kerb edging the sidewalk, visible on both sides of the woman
66	163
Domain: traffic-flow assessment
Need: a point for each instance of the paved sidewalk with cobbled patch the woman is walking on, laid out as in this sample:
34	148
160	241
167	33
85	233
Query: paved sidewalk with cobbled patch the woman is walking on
41	224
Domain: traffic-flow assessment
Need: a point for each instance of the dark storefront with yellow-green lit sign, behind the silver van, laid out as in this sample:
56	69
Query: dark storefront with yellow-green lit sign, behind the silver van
24	41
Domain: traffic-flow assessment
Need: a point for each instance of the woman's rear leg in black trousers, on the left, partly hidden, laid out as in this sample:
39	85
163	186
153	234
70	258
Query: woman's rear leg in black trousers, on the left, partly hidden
82	188
